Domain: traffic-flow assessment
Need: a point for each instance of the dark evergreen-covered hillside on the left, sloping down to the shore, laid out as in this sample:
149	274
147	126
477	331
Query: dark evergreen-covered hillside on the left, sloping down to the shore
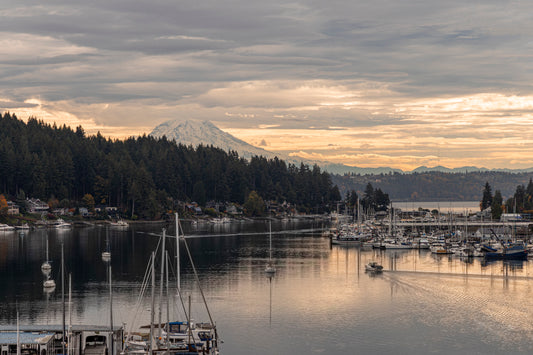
144	174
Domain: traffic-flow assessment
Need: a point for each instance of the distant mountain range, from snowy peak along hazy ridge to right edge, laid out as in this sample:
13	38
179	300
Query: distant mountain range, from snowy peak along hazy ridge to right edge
194	133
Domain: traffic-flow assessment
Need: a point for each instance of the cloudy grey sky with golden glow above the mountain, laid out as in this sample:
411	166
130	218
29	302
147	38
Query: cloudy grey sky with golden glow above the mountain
376	83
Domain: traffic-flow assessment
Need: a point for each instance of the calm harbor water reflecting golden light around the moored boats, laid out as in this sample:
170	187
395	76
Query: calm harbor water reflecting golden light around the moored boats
320	301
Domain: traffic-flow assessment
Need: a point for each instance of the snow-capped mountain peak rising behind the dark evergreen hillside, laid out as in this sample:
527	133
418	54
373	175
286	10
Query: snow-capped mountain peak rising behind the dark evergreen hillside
204	132
